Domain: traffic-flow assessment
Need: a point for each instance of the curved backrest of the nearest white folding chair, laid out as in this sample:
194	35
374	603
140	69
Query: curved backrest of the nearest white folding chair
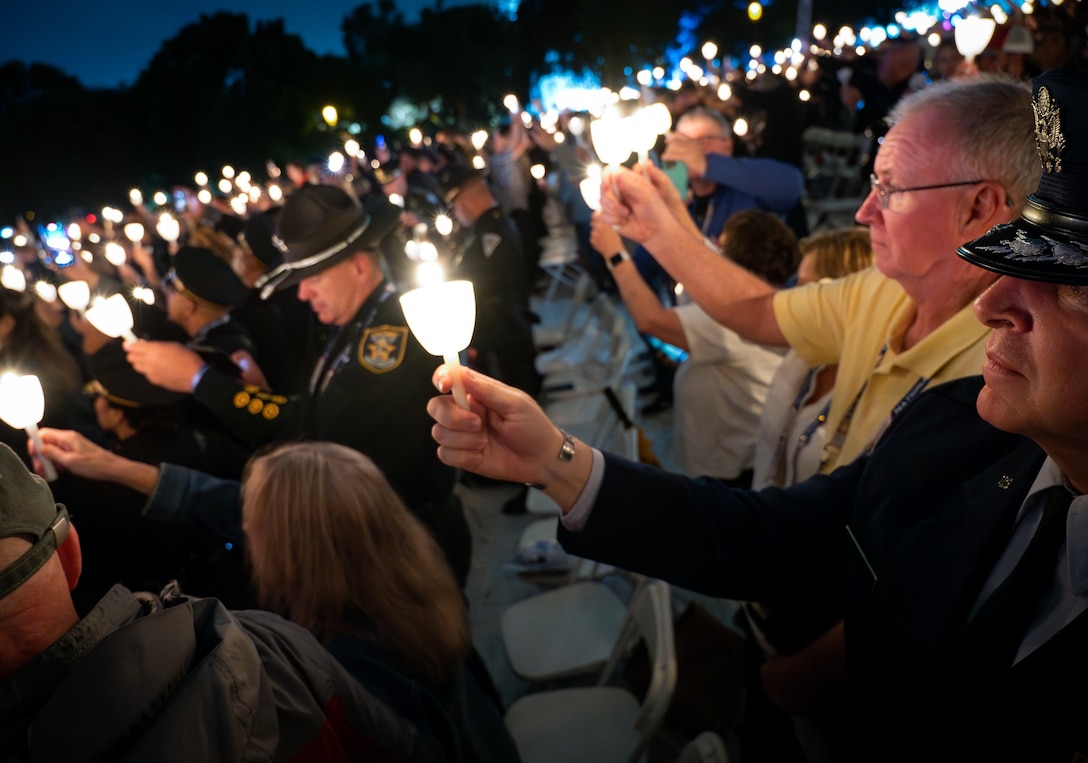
650	619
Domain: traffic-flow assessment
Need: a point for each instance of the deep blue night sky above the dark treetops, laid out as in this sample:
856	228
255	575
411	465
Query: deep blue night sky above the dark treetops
107	43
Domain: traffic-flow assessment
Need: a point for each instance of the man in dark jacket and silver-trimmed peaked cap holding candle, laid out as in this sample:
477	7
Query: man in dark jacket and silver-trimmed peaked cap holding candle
962	538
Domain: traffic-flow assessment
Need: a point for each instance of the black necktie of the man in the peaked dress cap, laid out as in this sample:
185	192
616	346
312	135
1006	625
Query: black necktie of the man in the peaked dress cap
991	639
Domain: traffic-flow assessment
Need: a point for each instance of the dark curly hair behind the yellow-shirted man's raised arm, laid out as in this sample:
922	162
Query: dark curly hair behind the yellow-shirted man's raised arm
761	242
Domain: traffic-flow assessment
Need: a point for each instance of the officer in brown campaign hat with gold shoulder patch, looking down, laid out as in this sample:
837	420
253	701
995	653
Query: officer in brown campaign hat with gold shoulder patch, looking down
369	378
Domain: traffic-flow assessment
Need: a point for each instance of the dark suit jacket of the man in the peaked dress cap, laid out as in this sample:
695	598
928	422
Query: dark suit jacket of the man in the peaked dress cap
932	509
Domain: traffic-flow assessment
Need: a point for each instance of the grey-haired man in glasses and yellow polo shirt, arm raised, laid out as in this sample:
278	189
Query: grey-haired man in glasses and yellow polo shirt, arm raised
959	159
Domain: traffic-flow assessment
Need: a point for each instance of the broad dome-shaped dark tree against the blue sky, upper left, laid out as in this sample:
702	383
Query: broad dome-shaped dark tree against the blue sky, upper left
218	93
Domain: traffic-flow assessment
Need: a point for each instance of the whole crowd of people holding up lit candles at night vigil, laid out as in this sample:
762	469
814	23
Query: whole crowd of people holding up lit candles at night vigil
256	545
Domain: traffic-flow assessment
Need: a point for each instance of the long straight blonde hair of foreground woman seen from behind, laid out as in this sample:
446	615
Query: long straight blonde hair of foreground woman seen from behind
331	540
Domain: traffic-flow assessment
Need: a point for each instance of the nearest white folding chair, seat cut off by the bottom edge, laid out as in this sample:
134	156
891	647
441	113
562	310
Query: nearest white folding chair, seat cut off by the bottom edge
604	724
